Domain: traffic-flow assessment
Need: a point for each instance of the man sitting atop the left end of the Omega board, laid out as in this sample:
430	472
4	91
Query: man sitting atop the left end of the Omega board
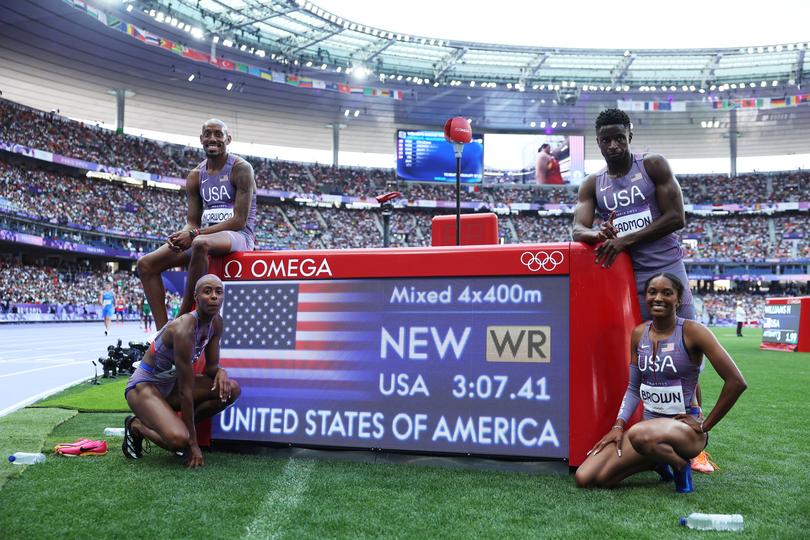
221	194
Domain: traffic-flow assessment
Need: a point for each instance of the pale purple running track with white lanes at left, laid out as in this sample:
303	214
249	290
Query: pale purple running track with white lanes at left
39	359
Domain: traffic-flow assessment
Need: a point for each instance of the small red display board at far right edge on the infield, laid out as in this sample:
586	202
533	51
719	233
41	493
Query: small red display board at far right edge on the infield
786	326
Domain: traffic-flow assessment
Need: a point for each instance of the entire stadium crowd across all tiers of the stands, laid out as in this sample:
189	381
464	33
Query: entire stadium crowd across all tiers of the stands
61	203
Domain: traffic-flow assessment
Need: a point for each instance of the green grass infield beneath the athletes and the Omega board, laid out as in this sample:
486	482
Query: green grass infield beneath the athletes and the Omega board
761	447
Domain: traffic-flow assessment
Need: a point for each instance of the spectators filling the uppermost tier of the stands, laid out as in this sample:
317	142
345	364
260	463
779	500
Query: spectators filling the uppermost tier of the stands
52	132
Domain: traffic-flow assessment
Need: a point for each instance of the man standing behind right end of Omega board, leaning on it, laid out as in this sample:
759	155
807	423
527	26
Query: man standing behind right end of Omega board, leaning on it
641	205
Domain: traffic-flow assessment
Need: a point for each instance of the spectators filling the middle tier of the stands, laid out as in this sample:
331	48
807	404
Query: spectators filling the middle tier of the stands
128	212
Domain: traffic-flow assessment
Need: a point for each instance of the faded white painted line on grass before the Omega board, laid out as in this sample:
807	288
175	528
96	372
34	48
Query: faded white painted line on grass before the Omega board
283	497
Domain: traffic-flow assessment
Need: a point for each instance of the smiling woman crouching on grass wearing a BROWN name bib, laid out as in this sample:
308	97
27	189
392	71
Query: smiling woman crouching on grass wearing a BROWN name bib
665	358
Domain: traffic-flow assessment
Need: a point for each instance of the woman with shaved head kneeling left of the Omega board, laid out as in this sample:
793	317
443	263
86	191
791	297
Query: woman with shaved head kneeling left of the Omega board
165	381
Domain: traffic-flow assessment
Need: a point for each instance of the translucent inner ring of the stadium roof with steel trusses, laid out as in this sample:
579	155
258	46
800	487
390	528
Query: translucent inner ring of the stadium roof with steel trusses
300	33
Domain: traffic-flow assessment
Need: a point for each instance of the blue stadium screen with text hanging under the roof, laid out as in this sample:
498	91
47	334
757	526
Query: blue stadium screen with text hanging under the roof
427	156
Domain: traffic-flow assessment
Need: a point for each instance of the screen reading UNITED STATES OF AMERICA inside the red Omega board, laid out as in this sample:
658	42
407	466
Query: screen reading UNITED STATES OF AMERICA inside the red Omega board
460	365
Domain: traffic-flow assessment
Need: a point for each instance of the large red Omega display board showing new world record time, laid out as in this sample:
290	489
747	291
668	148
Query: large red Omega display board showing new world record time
503	351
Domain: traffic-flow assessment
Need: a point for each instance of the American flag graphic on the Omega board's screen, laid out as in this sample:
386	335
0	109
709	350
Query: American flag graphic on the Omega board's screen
300	340
